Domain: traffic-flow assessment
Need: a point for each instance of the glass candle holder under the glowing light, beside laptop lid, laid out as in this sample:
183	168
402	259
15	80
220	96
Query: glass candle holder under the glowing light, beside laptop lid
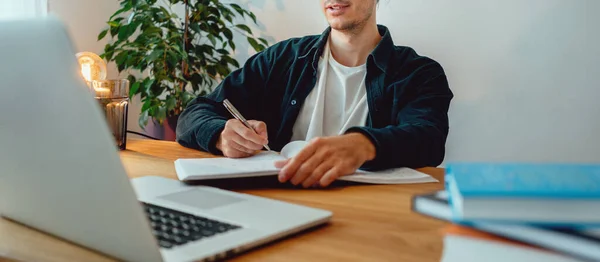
113	96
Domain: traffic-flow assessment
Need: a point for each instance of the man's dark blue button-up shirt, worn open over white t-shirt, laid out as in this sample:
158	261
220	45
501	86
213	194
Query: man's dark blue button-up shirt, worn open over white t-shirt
407	95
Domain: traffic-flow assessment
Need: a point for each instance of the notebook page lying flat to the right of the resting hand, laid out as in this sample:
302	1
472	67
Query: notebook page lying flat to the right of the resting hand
390	176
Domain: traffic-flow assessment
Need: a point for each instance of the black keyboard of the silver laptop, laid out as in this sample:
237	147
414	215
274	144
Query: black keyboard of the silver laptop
174	228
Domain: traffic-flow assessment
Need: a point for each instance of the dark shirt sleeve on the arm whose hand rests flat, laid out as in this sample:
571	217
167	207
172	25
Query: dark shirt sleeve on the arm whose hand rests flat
419	137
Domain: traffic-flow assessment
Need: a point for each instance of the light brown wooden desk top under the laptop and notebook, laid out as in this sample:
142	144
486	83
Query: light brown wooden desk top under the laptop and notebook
370	222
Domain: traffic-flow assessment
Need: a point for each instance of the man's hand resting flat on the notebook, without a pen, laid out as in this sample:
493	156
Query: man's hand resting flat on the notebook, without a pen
325	159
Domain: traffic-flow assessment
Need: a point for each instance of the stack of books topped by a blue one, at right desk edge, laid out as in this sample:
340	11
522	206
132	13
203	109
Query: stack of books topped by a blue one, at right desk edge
552	210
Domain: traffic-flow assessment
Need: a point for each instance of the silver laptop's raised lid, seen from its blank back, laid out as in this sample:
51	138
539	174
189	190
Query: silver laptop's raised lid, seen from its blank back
59	167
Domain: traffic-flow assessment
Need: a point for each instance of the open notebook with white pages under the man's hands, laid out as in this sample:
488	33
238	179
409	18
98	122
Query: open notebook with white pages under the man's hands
263	164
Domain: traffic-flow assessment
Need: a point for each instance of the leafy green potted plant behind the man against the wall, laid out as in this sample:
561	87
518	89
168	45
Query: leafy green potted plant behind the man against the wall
171	58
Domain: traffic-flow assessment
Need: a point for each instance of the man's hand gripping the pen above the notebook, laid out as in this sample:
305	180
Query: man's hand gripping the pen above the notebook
237	141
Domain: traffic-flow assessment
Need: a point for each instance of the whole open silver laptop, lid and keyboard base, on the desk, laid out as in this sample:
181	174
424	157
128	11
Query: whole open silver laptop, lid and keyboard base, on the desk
60	170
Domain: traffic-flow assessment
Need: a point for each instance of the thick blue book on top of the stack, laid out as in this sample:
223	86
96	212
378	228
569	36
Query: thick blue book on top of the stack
537	193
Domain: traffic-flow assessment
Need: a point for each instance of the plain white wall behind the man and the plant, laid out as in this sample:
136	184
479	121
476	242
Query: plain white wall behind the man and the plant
522	70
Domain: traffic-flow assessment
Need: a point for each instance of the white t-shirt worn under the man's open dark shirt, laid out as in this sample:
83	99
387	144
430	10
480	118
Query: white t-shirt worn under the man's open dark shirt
337	103
